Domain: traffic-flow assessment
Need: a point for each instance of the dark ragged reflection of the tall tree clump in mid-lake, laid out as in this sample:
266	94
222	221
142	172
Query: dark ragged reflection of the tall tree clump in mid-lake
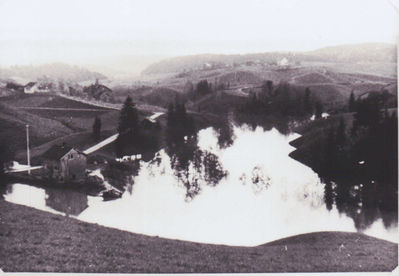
193	166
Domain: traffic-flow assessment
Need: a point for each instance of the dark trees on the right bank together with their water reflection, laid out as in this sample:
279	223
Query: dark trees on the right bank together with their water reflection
364	152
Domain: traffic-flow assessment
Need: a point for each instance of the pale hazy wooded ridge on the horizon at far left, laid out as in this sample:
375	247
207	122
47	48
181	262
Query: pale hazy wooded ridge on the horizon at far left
53	71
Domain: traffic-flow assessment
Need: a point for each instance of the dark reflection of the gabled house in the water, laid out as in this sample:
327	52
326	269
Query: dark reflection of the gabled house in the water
66	201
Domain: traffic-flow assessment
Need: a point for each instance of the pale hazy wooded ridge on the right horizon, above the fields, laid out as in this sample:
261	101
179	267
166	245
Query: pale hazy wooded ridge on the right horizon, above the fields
356	53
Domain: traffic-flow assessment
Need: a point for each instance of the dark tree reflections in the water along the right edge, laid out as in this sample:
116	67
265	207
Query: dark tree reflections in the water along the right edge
364	203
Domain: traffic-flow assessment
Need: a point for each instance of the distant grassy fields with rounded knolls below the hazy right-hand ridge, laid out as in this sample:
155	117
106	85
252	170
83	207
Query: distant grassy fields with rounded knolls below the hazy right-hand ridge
331	86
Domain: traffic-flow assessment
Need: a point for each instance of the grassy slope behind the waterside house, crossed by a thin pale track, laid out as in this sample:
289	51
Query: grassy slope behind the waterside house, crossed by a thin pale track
50	127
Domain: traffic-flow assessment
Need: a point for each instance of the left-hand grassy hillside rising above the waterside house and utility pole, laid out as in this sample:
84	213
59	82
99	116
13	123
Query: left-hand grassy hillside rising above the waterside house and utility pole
49	117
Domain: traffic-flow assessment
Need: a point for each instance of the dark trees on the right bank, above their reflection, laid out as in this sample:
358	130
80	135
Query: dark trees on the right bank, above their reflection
370	139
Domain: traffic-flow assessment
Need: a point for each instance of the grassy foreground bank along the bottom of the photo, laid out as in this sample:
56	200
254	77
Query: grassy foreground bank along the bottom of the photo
32	240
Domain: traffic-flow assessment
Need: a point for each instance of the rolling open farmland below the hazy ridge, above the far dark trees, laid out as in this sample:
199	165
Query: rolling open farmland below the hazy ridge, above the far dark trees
331	86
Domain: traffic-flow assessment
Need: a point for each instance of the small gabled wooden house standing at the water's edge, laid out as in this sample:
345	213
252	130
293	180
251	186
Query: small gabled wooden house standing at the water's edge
64	163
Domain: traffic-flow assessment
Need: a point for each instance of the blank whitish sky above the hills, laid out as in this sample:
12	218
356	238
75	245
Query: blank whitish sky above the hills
78	31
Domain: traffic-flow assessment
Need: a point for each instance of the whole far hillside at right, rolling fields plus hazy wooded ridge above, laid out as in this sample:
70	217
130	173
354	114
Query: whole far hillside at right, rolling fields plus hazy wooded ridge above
331	73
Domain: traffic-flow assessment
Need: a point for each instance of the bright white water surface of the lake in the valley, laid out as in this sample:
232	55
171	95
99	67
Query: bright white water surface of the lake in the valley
246	191
